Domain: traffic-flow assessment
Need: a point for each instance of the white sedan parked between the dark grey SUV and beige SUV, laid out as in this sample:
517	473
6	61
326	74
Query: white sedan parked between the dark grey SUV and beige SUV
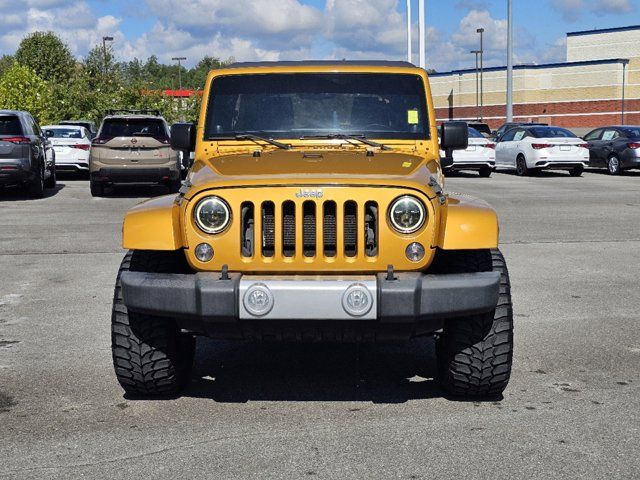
72	146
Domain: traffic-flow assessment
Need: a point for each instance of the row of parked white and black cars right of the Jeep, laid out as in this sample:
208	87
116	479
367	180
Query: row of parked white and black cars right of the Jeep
528	148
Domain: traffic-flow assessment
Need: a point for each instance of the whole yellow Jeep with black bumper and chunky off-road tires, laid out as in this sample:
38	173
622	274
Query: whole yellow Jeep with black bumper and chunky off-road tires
314	211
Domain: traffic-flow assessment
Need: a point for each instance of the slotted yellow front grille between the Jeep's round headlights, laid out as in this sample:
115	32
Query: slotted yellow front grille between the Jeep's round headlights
312	229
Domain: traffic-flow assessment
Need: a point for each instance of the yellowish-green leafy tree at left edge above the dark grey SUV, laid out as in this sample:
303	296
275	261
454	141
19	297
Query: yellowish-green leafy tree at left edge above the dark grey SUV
22	89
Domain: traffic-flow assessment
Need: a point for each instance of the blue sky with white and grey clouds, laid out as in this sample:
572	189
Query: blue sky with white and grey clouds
250	30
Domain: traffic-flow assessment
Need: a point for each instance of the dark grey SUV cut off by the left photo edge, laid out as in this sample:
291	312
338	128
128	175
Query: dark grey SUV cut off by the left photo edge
26	155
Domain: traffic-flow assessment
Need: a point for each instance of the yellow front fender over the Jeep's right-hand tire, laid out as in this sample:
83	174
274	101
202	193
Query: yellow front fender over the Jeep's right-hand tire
468	224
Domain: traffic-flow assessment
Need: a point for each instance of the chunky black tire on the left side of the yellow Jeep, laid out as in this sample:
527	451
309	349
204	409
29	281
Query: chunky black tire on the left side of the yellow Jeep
151	356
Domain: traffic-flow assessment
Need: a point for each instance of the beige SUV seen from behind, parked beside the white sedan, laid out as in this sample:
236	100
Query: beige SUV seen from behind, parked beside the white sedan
133	146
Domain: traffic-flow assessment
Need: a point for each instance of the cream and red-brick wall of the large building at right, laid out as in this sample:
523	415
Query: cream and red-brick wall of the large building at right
578	94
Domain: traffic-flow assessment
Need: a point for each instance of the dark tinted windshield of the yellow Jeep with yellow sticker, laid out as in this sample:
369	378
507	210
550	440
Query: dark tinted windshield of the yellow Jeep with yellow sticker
303	105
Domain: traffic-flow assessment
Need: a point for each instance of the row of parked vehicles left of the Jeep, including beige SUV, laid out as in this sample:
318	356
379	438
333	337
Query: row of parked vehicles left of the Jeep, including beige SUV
131	146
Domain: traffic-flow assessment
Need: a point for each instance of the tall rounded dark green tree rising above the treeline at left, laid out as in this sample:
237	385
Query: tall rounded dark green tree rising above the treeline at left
47	55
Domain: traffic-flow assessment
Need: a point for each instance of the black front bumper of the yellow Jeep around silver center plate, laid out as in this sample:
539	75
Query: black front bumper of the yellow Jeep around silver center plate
203	302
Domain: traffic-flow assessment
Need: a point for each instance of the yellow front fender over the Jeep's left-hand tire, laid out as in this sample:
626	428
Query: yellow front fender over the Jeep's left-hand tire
153	225
